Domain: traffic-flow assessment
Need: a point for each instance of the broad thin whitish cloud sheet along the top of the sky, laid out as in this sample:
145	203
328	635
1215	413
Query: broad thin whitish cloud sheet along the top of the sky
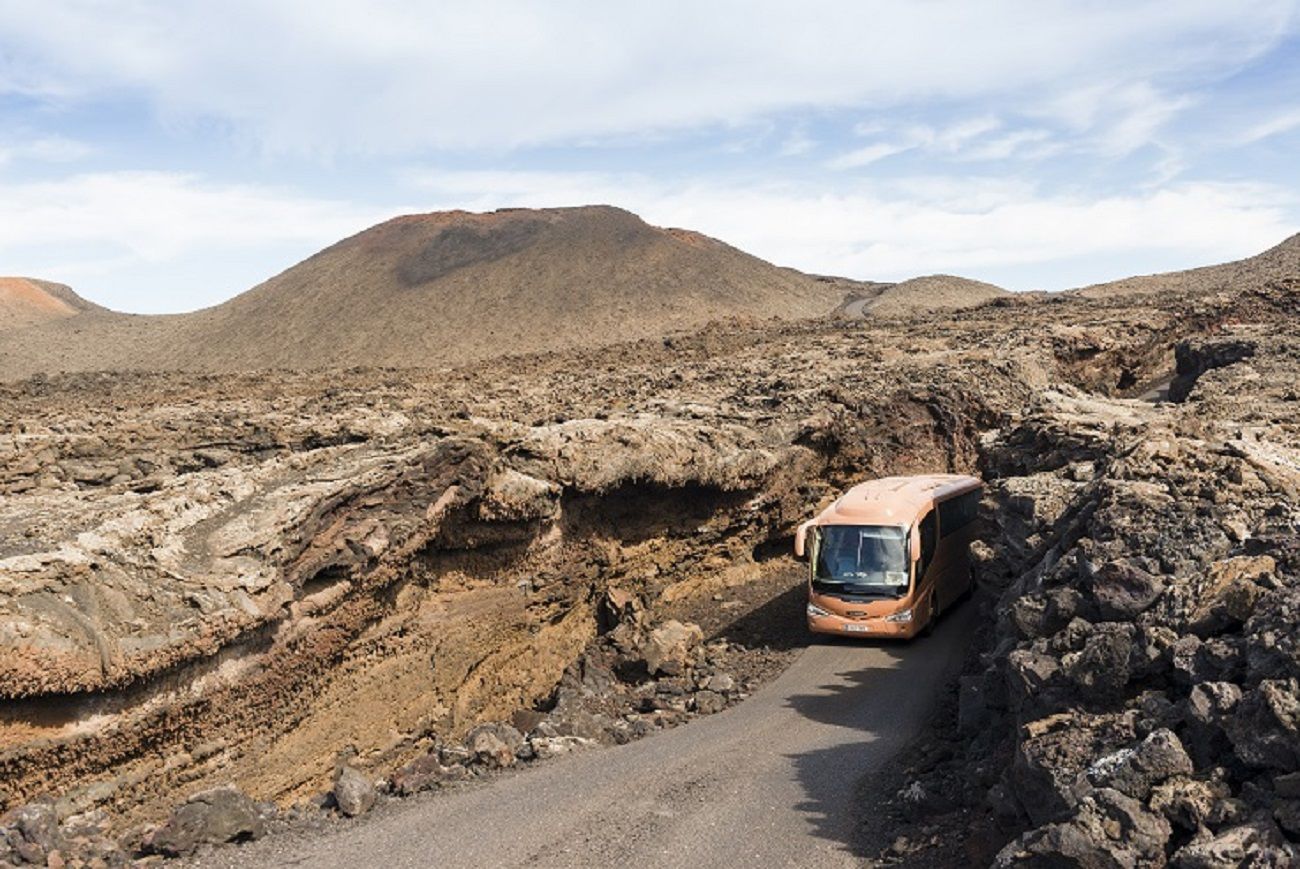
400	76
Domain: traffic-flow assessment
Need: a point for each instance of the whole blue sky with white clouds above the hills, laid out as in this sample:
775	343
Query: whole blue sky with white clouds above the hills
167	157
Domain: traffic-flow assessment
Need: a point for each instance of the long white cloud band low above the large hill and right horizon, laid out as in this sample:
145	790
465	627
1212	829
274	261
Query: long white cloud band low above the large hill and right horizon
917	226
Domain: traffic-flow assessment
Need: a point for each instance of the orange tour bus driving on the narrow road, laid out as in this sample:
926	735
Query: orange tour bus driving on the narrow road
890	555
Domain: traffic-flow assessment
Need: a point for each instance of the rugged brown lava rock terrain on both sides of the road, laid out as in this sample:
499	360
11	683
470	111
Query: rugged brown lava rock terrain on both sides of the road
236	600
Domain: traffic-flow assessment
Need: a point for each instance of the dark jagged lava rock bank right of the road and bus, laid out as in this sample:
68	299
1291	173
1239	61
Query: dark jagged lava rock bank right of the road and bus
1147	634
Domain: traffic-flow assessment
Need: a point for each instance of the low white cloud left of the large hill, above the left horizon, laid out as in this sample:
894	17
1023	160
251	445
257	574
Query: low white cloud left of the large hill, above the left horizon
163	241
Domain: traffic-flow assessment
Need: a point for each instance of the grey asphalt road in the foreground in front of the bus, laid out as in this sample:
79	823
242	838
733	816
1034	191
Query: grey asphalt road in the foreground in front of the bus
770	782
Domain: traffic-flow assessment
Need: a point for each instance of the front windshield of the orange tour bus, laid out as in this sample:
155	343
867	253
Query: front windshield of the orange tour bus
861	560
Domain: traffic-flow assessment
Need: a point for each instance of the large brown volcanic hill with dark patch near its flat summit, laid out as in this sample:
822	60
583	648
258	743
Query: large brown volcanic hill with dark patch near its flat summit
445	289
